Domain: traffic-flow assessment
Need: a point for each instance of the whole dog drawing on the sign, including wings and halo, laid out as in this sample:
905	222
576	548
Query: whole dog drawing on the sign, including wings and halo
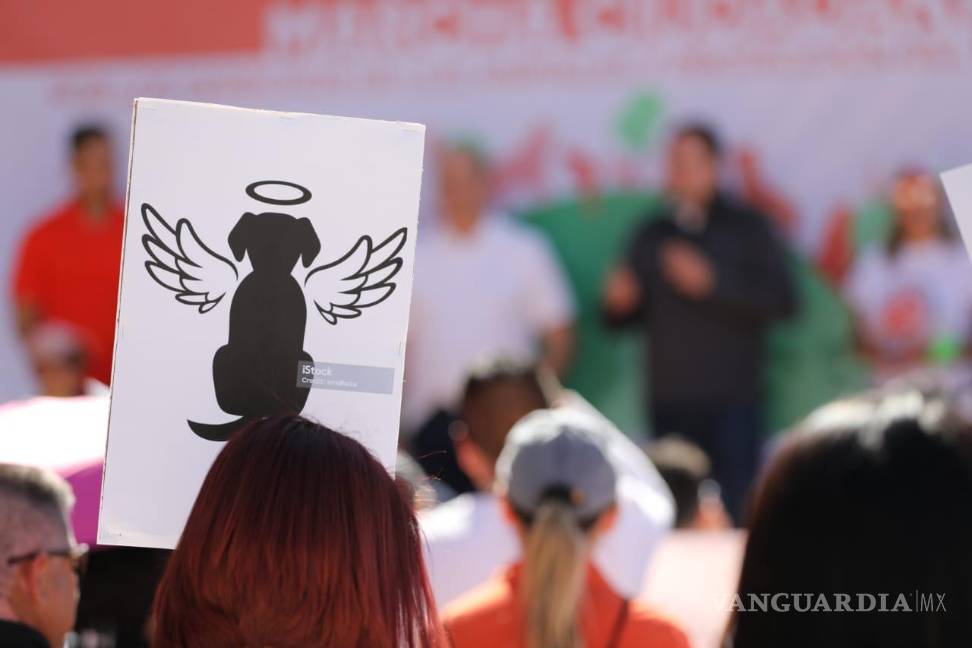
255	374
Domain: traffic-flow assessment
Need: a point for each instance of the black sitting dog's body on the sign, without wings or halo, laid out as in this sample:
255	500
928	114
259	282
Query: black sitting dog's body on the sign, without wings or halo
255	373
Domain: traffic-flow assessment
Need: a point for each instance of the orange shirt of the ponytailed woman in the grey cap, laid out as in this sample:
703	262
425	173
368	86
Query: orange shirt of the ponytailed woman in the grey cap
492	615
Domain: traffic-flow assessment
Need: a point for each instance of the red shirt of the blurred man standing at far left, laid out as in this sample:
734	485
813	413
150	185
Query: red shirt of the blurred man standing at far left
68	271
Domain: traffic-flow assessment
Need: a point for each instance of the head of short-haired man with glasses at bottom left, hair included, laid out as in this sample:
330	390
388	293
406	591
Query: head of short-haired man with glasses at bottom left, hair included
40	562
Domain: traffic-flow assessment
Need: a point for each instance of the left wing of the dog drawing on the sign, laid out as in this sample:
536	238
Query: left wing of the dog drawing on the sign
182	263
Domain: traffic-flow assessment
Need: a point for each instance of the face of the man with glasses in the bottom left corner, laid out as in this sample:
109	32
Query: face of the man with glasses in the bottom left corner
44	593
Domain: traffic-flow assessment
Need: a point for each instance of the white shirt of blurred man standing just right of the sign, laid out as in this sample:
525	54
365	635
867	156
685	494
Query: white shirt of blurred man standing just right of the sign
491	293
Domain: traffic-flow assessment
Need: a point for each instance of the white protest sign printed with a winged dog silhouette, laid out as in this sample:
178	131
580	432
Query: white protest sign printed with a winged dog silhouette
267	268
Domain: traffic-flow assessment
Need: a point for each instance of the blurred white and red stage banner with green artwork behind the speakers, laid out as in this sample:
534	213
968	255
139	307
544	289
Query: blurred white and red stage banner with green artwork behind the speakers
820	101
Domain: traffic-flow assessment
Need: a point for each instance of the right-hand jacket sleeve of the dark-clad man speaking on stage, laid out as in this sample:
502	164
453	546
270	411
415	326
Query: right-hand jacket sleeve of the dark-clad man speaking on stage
760	286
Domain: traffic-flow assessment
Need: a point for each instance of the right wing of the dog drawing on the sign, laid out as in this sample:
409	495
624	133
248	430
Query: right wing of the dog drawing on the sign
359	279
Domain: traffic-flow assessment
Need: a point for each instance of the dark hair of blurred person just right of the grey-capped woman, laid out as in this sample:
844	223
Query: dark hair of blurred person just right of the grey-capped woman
684	466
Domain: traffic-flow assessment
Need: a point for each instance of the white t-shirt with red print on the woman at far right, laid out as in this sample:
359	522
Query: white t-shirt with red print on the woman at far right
913	297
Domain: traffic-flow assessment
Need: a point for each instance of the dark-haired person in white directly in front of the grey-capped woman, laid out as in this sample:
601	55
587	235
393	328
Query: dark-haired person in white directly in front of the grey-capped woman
467	539
